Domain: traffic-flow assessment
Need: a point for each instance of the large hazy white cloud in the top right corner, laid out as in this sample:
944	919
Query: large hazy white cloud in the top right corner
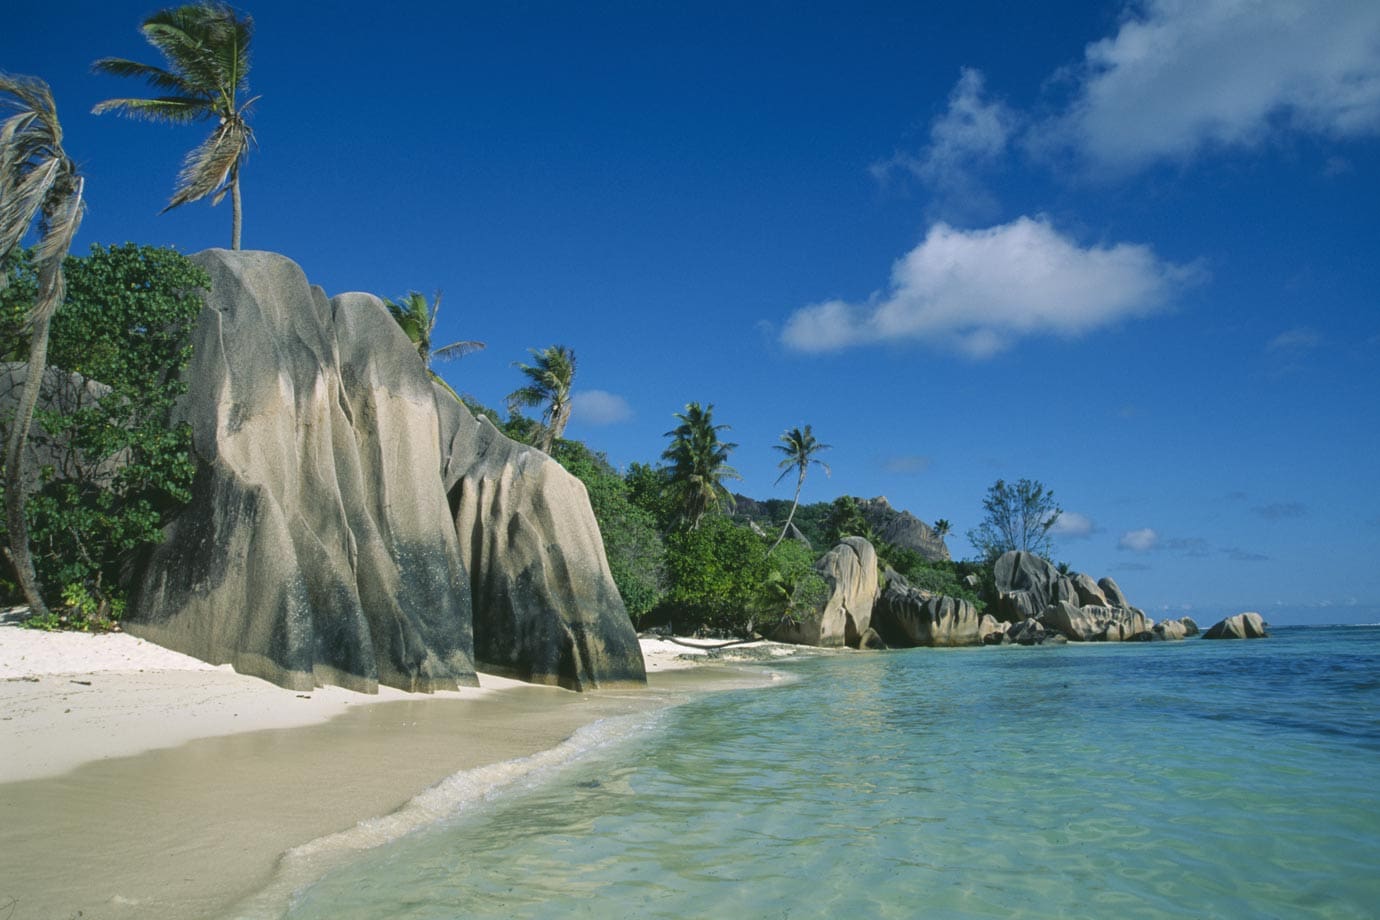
1182	77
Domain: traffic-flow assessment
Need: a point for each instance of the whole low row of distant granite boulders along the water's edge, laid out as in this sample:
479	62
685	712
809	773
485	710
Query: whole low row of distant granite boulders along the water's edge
1036	605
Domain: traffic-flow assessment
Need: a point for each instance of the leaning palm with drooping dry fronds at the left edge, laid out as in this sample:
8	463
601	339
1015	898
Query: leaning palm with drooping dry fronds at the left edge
38	181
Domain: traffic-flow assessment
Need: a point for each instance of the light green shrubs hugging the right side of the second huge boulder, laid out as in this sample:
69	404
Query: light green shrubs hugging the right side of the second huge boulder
633	546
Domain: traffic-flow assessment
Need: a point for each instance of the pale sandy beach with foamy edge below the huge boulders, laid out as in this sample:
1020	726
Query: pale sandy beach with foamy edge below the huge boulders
186	790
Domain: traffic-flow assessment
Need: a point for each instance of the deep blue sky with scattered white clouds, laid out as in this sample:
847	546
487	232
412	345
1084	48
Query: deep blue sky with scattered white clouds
1128	250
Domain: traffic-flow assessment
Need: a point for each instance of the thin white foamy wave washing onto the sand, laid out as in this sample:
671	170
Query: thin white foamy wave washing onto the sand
303	866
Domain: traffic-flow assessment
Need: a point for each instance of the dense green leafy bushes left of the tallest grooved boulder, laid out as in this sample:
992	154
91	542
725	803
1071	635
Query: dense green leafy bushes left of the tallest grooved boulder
118	471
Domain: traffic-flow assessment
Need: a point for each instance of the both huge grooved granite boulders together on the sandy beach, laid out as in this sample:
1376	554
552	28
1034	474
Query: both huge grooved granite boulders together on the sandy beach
354	526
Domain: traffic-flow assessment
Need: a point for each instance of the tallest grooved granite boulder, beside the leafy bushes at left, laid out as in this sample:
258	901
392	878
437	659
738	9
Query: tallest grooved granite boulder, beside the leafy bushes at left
318	547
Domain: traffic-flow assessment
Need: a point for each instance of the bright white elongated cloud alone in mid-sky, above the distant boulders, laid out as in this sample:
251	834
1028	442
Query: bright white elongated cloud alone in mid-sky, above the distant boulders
979	292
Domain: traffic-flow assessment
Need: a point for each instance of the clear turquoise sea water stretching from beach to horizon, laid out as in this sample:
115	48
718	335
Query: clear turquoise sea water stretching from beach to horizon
1170	780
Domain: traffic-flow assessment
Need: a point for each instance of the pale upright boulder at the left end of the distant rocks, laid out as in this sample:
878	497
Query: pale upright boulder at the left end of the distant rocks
851	573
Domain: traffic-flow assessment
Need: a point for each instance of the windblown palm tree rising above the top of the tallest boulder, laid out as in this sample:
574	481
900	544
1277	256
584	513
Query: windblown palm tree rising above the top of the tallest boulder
208	52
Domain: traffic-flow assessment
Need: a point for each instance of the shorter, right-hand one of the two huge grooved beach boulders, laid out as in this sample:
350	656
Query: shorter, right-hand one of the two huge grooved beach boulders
546	606
